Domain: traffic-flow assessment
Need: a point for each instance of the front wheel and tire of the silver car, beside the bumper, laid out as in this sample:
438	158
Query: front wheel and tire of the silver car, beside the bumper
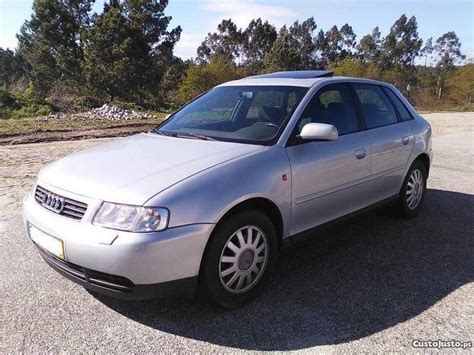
232	275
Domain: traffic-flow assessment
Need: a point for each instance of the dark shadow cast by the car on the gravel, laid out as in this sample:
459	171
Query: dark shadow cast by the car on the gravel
347	282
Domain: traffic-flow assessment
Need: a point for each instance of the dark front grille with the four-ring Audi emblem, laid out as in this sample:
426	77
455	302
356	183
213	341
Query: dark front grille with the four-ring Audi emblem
61	205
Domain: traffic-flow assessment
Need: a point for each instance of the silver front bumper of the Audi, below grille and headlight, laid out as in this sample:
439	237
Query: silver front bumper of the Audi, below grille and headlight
122	264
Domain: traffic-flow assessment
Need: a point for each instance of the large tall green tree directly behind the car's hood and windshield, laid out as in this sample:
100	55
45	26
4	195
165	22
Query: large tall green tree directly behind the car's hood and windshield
129	49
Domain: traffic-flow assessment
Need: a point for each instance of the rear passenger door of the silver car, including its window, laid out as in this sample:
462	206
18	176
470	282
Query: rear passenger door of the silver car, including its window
390	137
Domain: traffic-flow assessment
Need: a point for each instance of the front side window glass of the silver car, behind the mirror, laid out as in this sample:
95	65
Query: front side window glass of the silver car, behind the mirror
332	105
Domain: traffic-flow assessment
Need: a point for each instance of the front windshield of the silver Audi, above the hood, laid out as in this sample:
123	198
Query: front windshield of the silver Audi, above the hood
247	114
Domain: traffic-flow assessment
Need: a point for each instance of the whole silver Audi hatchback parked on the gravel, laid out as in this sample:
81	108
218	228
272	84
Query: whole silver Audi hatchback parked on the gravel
204	202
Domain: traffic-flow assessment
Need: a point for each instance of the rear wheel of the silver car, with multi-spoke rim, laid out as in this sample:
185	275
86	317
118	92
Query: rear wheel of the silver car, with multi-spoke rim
414	185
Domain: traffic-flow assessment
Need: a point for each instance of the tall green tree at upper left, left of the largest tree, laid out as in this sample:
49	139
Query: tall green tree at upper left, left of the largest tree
52	43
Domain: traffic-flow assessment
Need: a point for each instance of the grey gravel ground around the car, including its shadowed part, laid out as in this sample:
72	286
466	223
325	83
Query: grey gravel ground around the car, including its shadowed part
372	284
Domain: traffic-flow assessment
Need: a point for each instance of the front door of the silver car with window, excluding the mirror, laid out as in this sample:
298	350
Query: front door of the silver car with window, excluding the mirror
329	178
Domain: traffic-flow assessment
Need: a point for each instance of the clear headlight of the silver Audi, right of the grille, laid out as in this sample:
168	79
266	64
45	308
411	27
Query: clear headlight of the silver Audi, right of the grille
131	218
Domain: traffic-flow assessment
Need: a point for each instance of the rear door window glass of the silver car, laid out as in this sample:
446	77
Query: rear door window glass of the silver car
377	109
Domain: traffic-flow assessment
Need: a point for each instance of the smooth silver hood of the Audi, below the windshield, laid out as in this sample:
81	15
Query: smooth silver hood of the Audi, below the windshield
133	169
